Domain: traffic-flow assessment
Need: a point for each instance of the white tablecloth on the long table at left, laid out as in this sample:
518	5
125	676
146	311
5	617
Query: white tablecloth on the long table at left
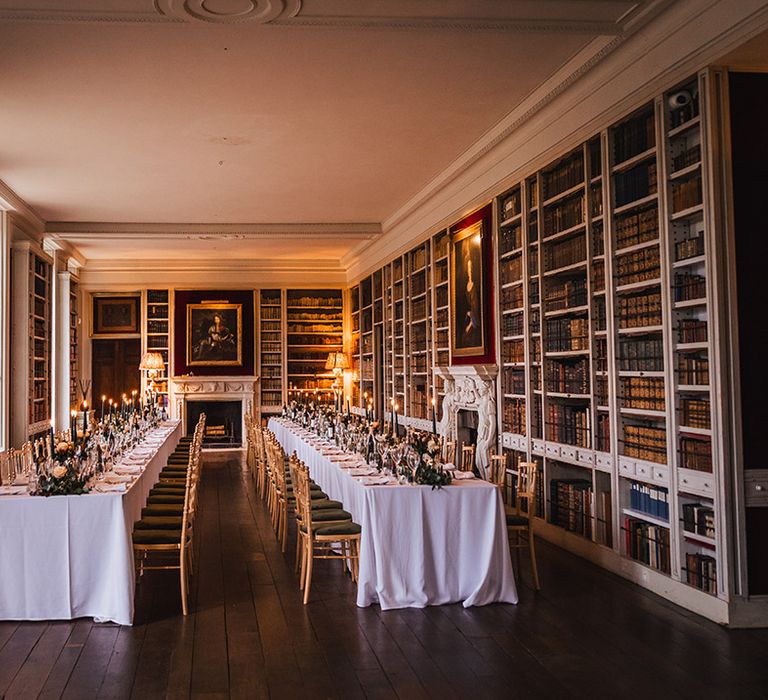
65	557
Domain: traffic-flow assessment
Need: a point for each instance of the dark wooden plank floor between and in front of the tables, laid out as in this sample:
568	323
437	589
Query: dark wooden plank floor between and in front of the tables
587	633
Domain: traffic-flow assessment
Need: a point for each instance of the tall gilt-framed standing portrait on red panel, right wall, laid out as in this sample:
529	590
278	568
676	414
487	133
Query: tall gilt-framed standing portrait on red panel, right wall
468	292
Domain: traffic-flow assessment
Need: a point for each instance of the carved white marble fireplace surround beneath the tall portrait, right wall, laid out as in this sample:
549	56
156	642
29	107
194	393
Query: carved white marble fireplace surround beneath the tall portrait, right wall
471	388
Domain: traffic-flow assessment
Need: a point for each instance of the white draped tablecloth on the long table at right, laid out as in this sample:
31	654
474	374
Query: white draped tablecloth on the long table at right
419	546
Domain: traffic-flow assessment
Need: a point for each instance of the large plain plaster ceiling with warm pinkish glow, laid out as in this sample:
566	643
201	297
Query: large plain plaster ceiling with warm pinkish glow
321	111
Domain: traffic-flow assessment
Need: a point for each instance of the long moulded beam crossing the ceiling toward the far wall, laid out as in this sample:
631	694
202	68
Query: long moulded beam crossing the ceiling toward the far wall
82	231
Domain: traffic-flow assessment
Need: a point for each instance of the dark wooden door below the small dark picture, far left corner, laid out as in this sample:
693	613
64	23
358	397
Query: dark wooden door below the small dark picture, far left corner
115	367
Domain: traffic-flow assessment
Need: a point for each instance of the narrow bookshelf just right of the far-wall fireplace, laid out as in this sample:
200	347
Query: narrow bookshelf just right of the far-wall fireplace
271	350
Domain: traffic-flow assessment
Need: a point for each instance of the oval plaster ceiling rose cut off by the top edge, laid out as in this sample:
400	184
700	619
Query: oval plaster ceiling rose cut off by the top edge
230	11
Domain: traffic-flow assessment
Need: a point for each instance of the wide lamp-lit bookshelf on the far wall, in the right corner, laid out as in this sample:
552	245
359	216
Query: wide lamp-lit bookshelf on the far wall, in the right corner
314	328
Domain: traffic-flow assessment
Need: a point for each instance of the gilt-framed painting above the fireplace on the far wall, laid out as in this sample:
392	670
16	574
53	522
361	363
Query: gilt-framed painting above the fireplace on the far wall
214	334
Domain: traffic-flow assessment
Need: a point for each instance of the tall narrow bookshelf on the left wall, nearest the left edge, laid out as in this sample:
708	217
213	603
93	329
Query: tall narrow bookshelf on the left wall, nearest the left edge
40	334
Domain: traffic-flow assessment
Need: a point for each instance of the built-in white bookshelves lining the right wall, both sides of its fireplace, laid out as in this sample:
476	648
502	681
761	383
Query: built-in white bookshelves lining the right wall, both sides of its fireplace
606	324
